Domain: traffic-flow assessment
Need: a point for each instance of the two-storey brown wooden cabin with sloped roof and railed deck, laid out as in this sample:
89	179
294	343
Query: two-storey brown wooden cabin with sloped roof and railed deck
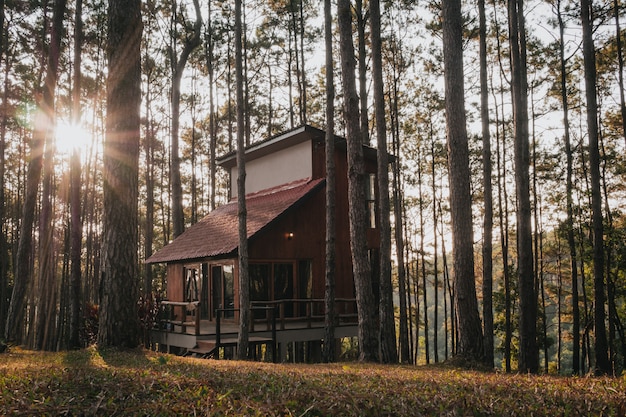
285	201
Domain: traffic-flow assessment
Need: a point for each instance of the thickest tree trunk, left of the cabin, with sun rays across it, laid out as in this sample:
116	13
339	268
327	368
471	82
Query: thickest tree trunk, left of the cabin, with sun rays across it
119	324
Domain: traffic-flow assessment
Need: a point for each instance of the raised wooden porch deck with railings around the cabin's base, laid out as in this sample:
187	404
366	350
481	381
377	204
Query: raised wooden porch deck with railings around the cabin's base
276	325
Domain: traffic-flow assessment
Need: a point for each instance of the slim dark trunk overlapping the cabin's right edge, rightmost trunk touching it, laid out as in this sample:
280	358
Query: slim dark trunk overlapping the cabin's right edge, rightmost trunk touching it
386	311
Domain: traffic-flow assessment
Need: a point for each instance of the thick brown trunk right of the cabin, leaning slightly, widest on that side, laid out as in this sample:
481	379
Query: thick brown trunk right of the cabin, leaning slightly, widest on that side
470	340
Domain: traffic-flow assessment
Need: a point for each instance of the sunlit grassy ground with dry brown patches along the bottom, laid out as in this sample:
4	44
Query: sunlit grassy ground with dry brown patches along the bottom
92	382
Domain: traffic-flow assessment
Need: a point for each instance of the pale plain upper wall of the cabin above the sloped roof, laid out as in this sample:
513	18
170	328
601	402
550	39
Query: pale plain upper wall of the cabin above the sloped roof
287	165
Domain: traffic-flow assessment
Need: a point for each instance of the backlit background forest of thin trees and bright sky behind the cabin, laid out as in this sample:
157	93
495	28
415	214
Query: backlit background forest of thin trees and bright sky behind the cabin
189	117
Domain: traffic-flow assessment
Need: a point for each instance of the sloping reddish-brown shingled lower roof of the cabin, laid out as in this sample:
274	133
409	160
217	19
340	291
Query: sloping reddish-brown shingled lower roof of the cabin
217	233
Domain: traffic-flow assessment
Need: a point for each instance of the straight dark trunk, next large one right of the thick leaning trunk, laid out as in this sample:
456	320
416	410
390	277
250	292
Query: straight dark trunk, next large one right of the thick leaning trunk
528	352
